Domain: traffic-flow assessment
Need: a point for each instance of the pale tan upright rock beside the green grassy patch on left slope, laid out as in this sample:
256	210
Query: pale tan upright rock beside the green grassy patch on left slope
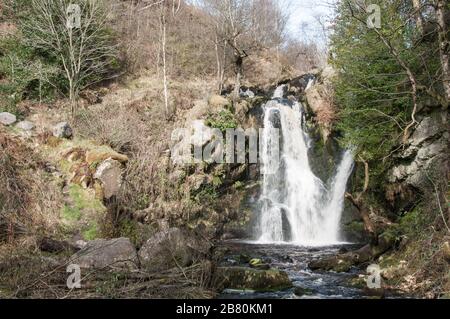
109	173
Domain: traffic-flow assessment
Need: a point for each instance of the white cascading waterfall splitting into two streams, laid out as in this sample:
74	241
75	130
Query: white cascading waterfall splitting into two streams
296	205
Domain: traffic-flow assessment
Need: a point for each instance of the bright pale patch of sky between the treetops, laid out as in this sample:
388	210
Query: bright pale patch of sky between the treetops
305	12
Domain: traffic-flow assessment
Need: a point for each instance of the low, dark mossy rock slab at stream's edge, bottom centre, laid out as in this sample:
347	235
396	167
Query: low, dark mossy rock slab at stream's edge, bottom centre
251	279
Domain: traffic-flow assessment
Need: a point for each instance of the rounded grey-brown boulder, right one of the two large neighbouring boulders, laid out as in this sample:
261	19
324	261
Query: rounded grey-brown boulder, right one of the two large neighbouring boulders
172	248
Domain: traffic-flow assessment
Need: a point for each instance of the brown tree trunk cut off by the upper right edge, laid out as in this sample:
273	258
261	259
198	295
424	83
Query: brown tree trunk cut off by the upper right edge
444	45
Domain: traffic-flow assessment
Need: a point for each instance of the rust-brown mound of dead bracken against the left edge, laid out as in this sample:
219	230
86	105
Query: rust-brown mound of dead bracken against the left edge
29	199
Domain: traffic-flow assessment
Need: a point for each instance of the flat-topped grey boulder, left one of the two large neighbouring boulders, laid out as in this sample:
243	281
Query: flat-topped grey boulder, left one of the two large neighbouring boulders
101	253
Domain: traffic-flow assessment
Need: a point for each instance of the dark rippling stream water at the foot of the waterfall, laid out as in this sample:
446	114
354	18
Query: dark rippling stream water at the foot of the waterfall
294	260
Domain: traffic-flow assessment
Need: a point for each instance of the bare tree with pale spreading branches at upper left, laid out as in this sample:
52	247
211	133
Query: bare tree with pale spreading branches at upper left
78	38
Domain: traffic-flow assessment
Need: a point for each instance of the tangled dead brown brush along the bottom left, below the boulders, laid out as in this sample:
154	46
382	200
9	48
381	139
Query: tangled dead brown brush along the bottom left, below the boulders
25	275
